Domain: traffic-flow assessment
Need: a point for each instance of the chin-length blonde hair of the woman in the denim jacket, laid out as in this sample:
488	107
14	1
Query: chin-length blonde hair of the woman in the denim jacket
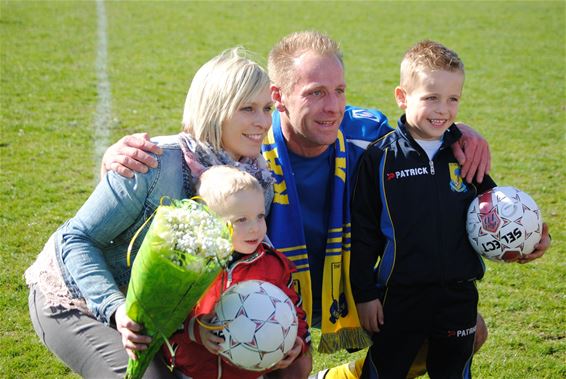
218	88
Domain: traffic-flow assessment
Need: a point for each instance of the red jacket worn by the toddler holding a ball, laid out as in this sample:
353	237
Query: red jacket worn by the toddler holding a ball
191	357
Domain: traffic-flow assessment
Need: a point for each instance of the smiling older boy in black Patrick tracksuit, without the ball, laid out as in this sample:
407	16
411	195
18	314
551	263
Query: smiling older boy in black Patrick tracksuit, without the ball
408	216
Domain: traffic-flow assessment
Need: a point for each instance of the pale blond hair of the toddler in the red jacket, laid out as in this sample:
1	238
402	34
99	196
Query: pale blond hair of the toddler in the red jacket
218	183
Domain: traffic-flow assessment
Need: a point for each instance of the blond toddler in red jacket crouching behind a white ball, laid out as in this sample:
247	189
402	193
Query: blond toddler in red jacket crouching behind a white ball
238	198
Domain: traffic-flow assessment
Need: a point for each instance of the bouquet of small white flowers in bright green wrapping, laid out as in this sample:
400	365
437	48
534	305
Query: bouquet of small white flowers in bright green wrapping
183	251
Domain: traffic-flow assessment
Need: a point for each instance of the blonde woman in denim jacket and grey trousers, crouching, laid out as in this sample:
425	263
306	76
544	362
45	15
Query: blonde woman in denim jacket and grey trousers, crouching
77	284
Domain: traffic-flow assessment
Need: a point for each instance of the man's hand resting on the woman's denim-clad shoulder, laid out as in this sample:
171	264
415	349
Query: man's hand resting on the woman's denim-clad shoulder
130	155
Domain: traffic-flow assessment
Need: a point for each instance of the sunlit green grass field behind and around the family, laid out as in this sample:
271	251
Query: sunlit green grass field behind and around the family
514	95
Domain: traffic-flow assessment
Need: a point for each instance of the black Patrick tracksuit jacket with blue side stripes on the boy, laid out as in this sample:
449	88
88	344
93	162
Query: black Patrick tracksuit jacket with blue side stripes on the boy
409	213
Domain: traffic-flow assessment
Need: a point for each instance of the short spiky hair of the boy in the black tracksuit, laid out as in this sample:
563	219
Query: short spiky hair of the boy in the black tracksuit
427	55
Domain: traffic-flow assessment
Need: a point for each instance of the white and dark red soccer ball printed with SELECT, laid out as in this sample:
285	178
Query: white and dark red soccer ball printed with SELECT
504	224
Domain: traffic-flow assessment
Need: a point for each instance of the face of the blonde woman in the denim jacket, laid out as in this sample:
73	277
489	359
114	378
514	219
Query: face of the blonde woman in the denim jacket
243	132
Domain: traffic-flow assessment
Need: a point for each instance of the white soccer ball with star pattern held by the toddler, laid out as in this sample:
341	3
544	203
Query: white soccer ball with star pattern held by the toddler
260	324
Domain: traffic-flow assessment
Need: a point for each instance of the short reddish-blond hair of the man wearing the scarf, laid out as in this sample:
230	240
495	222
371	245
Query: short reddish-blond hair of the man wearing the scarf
281	60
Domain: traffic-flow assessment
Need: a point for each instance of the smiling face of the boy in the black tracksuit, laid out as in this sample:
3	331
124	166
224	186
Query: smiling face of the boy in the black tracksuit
431	105
